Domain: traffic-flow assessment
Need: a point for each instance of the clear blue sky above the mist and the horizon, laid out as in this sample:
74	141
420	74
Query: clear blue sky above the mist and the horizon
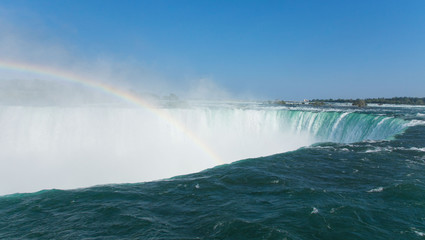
264	49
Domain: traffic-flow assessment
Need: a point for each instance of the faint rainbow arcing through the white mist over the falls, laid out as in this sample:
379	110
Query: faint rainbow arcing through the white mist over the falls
111	90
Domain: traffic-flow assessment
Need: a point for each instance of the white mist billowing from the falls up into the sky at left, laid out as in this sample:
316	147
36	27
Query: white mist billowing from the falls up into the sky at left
65	134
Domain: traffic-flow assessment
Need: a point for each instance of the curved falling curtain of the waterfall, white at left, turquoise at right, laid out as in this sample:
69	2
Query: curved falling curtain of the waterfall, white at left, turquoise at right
80	146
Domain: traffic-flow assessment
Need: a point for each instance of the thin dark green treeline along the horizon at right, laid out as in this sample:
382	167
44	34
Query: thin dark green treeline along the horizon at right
394	100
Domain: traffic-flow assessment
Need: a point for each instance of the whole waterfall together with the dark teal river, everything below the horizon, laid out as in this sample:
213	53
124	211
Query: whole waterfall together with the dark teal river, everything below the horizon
212	170
